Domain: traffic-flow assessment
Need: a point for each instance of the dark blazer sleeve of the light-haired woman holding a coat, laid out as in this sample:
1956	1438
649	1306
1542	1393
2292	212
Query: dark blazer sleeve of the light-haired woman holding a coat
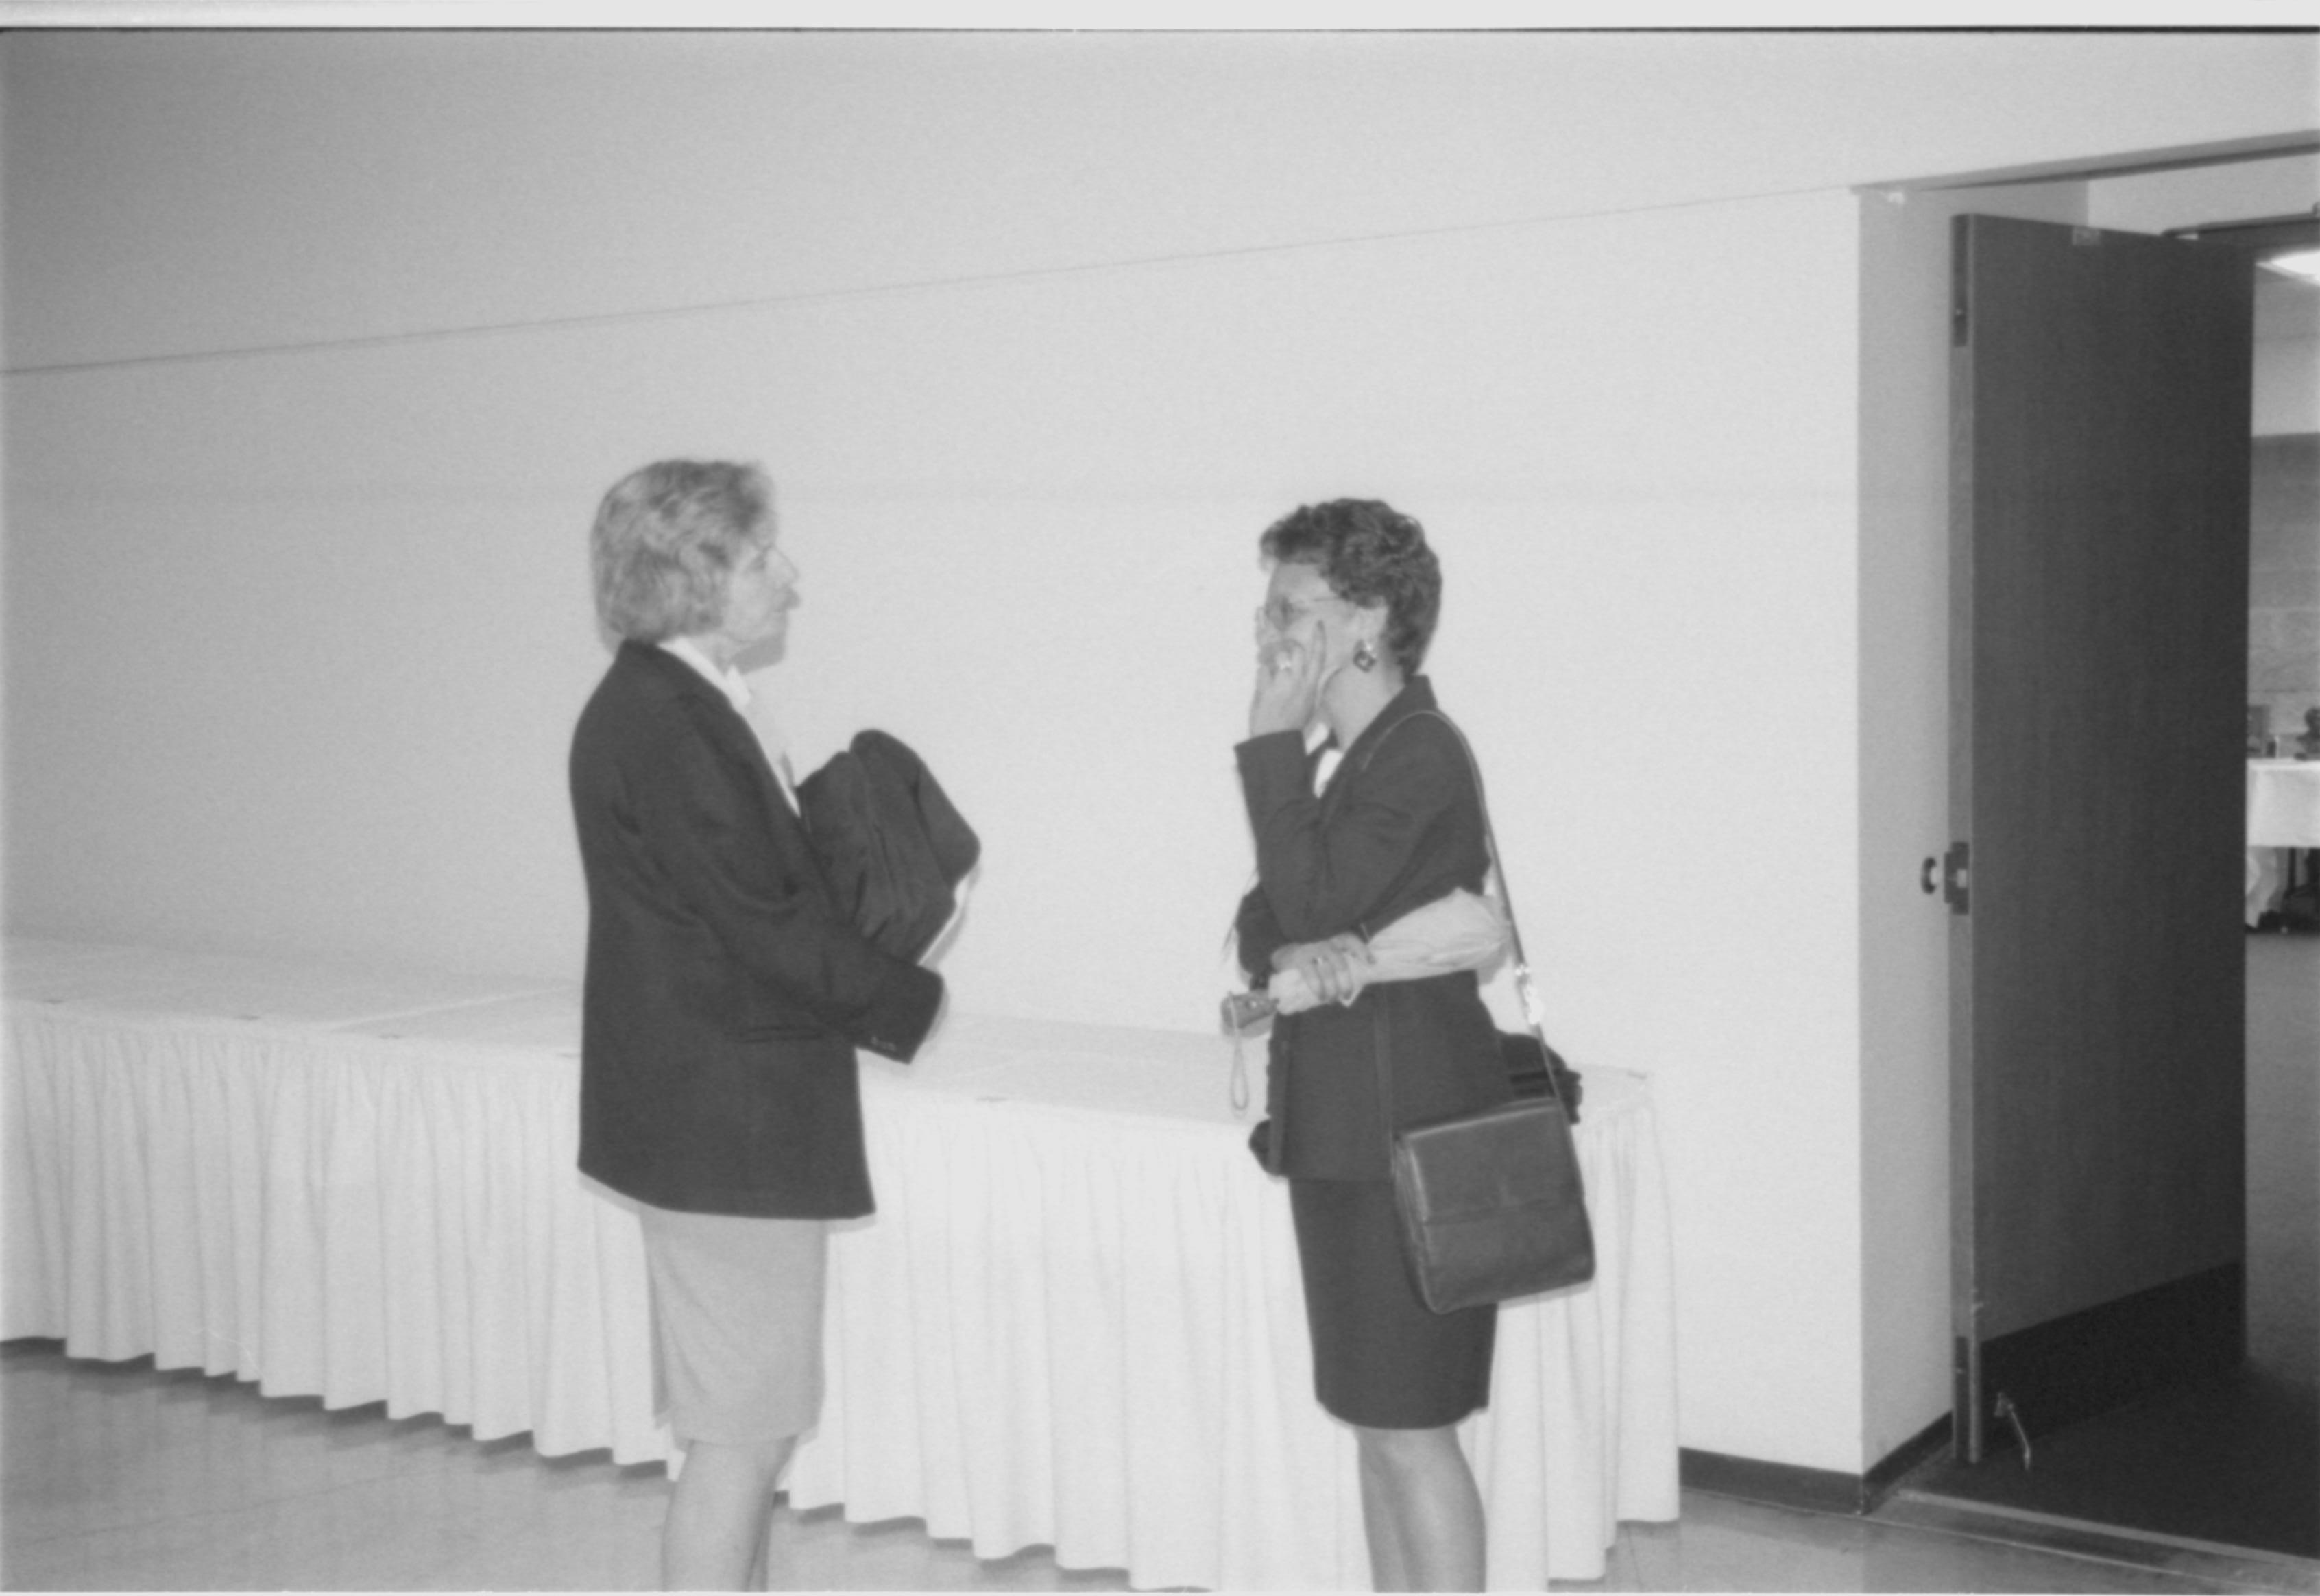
706	827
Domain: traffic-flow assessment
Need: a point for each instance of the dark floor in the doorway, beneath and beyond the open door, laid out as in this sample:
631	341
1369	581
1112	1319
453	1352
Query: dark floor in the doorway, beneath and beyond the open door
2226	1460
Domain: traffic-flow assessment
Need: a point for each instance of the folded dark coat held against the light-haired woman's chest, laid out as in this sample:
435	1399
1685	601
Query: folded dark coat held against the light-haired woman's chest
890	841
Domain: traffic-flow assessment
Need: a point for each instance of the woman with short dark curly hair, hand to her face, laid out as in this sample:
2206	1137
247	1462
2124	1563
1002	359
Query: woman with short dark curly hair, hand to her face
1349	611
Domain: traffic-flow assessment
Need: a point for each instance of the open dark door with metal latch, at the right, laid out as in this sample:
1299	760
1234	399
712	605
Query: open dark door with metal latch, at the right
2098	679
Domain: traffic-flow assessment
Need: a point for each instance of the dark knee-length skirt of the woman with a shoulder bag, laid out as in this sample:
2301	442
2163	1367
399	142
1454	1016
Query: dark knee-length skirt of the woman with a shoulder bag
1382	1358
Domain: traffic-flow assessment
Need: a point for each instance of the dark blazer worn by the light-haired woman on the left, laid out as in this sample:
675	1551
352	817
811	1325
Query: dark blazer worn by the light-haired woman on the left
725	989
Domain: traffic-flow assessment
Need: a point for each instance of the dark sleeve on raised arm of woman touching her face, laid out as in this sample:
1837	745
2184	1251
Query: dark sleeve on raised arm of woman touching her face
1365	866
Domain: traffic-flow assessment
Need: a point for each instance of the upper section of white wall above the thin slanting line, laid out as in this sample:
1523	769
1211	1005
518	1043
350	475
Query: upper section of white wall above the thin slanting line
182	191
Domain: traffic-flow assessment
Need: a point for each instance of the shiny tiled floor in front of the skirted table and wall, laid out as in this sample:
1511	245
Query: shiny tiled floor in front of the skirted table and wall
126	1479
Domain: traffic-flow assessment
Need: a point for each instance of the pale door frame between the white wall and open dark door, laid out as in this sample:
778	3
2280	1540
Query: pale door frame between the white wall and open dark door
1904	781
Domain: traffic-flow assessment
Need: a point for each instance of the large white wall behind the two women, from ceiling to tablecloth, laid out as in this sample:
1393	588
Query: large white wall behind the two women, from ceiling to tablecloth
1041	333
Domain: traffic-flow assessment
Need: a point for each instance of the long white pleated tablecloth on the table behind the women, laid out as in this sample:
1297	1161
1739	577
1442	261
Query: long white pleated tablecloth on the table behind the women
1073	1323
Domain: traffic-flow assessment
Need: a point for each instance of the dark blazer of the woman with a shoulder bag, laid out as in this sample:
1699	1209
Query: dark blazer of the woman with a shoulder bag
1400	827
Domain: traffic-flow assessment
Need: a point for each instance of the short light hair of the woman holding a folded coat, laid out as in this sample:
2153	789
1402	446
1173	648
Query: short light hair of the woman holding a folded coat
667	539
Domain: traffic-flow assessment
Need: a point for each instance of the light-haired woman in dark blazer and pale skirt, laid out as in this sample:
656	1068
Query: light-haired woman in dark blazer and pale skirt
725	999
